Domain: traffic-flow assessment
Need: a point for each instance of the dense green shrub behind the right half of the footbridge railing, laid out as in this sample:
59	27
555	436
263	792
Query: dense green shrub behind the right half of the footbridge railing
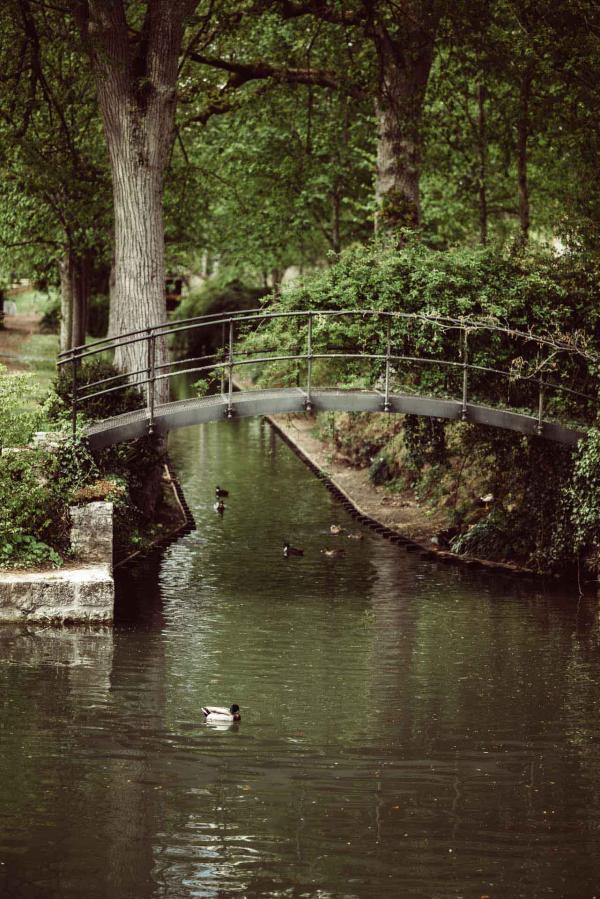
561	295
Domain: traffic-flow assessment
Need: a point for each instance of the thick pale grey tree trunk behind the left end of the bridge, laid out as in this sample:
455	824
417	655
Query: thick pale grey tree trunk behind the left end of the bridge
136	78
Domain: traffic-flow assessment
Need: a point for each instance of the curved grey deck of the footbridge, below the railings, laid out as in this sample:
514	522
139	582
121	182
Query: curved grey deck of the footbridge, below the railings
183	413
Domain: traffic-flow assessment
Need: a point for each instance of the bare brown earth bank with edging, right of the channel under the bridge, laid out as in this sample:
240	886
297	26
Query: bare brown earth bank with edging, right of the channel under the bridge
401	513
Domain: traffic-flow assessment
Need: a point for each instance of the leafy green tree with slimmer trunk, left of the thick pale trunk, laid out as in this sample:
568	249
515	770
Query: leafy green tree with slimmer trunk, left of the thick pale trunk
54	209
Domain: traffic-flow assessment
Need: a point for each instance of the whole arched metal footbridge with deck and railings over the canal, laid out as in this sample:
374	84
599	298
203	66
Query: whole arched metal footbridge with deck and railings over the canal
271	362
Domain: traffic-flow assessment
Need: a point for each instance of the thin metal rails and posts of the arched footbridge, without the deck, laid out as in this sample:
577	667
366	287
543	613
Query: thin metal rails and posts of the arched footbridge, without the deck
226	360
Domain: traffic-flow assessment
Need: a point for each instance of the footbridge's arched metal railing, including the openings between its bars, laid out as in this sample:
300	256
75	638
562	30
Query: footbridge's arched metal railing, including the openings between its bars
462	359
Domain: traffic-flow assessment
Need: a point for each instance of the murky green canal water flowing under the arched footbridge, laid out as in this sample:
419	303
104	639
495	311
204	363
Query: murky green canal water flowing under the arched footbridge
407	729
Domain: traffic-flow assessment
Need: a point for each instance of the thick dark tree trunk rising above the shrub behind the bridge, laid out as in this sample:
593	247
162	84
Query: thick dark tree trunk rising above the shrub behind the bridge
405	56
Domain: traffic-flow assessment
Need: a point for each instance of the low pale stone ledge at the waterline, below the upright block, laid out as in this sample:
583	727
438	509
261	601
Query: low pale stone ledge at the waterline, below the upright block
66	595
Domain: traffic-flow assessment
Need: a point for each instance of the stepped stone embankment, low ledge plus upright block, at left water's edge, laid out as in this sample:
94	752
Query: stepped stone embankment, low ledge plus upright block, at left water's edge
82	592
